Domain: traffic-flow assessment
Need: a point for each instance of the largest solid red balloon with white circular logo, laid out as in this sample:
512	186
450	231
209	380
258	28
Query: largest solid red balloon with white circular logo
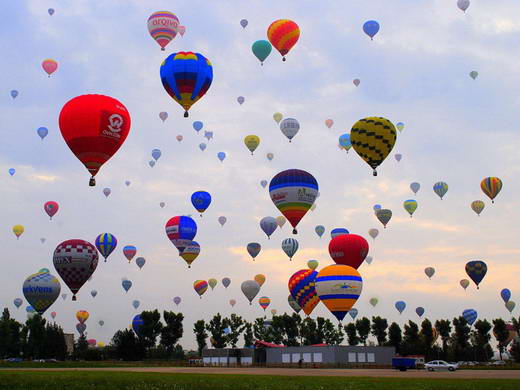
94	127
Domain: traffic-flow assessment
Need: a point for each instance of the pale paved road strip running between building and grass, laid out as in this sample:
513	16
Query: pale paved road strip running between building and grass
378	373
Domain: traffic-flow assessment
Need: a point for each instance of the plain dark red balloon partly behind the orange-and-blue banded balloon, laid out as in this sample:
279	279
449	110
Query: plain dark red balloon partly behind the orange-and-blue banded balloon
348	249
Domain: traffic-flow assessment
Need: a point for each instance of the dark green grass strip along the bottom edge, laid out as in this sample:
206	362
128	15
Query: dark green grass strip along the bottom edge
14	380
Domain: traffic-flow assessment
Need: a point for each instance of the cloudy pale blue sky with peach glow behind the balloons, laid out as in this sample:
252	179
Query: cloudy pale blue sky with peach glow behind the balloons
416	70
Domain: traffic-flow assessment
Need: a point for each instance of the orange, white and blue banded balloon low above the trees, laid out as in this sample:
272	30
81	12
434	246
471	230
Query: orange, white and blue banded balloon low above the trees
338	287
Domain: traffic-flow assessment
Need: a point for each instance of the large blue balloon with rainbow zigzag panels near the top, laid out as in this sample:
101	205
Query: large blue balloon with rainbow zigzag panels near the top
186	76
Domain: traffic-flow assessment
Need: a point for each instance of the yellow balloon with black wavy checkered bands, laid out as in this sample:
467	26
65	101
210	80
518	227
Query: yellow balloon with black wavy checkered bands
373	139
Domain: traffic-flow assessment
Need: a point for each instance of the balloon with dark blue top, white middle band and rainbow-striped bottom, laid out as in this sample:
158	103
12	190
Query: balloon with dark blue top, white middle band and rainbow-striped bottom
293	192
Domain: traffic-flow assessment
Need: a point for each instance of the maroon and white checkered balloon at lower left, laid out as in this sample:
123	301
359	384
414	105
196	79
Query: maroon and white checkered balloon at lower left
75	261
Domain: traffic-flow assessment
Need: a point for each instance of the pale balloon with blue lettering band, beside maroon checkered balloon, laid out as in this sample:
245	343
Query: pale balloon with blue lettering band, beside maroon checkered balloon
41	290
